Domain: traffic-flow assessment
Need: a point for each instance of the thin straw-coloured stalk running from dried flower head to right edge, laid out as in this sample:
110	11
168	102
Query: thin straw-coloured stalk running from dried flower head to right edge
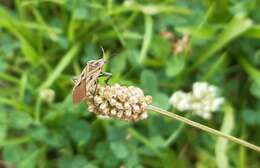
204	128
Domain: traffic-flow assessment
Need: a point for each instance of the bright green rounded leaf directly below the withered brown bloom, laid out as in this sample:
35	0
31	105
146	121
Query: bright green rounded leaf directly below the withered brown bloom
175	66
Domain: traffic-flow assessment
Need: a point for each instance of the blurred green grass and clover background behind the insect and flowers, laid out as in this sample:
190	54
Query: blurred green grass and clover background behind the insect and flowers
160	46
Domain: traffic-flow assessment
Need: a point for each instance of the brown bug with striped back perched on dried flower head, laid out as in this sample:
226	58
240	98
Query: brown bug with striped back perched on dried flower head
88	79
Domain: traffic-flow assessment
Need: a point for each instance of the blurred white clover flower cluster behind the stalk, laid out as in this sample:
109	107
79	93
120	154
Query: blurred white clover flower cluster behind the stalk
202	100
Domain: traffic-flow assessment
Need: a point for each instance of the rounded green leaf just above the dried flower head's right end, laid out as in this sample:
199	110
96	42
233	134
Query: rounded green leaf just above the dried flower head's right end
149	81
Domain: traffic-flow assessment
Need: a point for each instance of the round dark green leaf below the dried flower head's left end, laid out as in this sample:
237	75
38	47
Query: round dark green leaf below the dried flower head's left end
79	131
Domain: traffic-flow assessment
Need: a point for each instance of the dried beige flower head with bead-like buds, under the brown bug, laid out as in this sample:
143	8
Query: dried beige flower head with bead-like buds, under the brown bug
121	102
